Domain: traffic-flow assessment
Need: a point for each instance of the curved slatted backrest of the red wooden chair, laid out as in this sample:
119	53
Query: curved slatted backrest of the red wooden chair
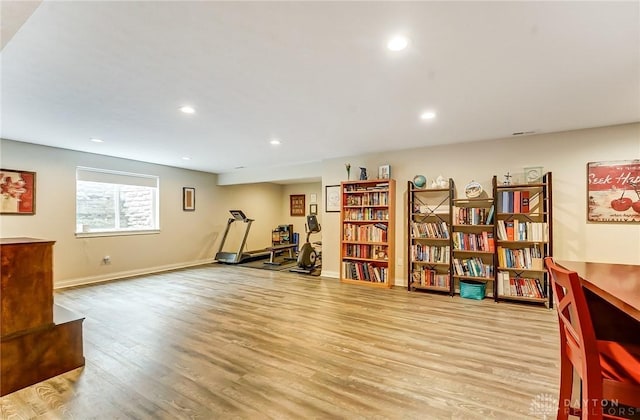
577	335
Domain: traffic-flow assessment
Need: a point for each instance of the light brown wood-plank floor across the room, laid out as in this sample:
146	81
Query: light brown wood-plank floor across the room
218	342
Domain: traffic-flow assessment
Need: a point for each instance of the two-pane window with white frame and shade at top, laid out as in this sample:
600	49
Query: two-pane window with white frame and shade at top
115	202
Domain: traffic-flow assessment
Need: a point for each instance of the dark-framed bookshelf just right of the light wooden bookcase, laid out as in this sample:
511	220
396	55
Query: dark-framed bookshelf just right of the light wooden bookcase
429	238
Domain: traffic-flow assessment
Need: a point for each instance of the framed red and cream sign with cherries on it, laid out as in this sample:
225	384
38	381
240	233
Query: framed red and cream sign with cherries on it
613	191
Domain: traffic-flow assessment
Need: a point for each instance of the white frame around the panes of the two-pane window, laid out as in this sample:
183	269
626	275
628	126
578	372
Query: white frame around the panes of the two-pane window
117	179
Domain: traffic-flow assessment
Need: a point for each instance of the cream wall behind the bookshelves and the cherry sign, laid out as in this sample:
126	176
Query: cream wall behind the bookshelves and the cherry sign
564	154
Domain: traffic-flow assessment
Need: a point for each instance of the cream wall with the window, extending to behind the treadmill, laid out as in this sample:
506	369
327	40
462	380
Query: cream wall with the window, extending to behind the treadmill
186	238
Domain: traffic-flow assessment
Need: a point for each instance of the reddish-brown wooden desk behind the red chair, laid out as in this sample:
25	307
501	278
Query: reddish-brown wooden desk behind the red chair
613	295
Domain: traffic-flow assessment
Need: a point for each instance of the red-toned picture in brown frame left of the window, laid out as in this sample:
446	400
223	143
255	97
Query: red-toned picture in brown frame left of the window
17	192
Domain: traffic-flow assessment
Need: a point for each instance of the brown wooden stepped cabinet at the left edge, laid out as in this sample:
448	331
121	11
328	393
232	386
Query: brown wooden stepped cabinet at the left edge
38	339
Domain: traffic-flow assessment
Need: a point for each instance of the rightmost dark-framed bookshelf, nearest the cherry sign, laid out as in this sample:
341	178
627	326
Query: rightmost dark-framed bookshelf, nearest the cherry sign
524	236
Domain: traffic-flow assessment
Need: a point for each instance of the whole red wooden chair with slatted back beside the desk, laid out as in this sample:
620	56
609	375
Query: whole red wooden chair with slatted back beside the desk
609	371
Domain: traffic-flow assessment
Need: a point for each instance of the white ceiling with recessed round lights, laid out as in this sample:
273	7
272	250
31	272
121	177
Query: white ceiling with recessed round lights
316	75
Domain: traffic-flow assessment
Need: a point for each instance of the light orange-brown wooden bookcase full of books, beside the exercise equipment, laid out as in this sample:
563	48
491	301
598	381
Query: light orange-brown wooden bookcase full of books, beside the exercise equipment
367	232
